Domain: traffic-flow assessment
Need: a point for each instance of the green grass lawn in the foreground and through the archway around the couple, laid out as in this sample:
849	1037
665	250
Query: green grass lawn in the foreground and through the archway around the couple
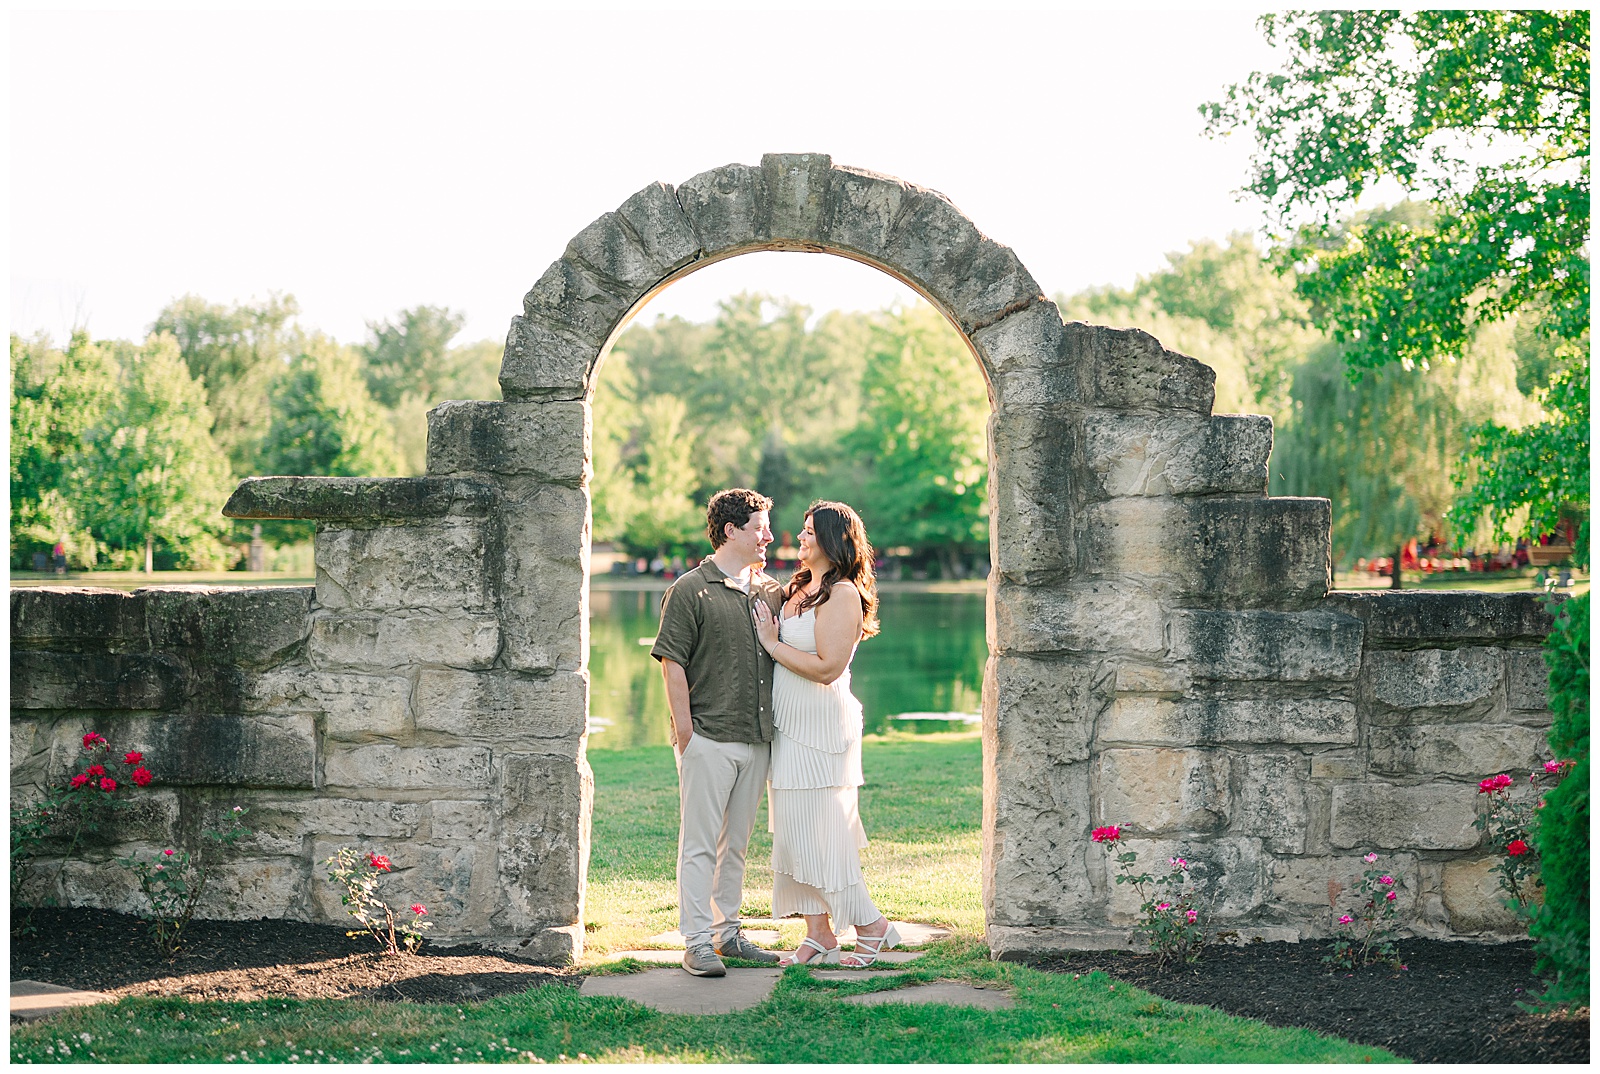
922	809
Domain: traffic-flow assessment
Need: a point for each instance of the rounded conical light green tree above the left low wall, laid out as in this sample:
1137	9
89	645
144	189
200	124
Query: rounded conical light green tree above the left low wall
150	470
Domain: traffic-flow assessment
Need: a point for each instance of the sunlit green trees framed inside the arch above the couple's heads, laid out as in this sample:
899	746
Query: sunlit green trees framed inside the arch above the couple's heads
882	411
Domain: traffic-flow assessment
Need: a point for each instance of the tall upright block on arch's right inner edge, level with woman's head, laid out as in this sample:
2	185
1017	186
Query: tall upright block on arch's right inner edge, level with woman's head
1036	483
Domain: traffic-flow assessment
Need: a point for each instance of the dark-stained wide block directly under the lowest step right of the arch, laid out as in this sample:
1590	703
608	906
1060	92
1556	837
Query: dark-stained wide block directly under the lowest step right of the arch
1270	646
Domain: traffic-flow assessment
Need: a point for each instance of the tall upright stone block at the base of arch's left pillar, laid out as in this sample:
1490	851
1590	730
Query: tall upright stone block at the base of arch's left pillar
543	848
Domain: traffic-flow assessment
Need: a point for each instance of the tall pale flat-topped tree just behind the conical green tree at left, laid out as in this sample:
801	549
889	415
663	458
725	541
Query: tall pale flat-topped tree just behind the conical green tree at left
234	351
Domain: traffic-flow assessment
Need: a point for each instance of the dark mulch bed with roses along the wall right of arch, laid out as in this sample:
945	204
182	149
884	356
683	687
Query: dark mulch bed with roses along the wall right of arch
1455	1003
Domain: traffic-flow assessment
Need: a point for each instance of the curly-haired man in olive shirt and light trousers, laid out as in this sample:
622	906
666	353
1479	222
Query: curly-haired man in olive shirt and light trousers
721	694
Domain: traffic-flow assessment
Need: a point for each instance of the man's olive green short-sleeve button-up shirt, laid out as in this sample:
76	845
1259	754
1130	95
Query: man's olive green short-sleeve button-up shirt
708	630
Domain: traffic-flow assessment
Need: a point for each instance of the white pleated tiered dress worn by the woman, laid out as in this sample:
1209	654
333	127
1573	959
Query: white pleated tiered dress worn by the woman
814	783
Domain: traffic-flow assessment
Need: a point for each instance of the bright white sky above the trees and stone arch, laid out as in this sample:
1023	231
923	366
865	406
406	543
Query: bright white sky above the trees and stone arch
369	162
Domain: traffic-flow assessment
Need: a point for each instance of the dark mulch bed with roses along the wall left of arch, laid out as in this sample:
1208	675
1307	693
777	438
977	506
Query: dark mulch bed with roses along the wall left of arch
247	961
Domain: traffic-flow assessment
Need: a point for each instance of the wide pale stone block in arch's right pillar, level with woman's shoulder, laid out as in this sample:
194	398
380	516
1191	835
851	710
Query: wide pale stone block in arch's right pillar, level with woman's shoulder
1089	617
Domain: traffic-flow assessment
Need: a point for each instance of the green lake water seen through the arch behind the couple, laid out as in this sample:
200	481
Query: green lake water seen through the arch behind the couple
929	662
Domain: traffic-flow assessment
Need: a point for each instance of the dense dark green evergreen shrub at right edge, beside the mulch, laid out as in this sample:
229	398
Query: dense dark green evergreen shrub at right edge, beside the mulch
1562	928
